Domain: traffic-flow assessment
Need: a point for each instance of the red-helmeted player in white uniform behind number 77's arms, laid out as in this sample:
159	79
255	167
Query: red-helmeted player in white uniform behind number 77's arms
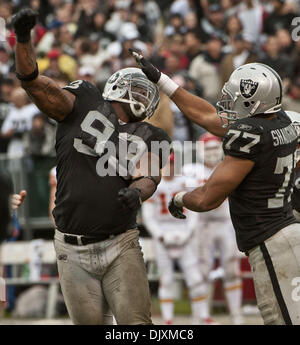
214	228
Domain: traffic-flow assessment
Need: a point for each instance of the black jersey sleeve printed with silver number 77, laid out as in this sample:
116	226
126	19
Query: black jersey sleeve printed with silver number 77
243	140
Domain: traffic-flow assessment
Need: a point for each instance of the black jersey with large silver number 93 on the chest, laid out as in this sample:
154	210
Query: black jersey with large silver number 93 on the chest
93	154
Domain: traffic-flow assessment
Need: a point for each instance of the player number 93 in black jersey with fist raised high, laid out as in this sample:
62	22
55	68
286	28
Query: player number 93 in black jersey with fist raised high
103	150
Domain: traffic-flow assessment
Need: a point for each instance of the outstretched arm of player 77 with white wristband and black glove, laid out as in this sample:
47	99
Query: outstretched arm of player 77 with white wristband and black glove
195	108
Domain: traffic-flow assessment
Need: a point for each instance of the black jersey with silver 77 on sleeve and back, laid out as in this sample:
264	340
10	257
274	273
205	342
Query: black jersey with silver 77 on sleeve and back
261	205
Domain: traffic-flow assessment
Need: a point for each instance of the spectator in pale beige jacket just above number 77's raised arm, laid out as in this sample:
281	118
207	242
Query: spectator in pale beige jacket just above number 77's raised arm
205	69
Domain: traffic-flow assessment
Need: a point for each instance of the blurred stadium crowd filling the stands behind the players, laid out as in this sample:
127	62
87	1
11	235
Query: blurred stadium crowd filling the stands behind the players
197	42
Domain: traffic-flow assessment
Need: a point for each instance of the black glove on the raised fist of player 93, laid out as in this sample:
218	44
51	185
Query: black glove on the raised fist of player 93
23	22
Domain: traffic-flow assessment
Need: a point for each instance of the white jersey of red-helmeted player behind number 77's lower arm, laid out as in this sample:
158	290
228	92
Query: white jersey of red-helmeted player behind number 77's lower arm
196	175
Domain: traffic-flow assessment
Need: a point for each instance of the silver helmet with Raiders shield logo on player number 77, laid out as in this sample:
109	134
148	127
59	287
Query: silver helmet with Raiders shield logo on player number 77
252	89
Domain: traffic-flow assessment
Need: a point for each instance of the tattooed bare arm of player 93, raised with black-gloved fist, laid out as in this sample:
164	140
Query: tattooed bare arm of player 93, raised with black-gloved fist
44	92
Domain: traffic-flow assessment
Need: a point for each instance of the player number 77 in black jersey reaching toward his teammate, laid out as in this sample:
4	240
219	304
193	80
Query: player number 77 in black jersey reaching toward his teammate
257	176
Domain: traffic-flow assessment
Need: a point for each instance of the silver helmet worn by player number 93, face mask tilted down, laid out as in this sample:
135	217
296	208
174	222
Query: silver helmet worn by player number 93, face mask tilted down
130	85
